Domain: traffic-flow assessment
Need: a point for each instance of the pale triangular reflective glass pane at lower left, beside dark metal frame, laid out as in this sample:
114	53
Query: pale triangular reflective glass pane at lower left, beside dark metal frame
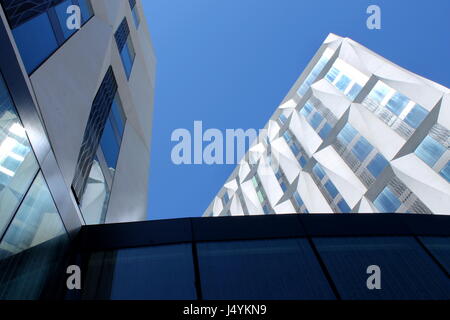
36	221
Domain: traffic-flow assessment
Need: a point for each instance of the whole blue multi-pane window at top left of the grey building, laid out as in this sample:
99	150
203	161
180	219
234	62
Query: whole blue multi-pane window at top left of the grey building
38	37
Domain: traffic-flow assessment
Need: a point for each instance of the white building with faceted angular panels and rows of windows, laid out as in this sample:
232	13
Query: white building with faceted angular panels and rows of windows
356	133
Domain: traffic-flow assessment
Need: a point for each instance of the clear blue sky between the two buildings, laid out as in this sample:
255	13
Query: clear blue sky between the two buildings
230	63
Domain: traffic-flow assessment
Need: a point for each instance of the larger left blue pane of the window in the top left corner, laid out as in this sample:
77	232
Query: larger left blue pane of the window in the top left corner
35	40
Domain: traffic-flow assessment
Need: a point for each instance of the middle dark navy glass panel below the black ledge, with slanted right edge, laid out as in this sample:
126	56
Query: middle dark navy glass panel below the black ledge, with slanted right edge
262	270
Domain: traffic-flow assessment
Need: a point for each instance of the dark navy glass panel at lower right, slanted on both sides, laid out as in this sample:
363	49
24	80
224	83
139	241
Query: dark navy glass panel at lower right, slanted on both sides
407	272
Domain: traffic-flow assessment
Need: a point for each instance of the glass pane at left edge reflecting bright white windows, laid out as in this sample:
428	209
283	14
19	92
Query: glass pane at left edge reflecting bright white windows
18	166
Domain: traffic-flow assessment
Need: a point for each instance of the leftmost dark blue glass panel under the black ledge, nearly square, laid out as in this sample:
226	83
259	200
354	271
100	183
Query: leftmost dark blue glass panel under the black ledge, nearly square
159	272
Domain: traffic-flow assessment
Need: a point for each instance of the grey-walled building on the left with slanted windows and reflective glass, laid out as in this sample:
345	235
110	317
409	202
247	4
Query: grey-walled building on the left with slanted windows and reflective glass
75	127
